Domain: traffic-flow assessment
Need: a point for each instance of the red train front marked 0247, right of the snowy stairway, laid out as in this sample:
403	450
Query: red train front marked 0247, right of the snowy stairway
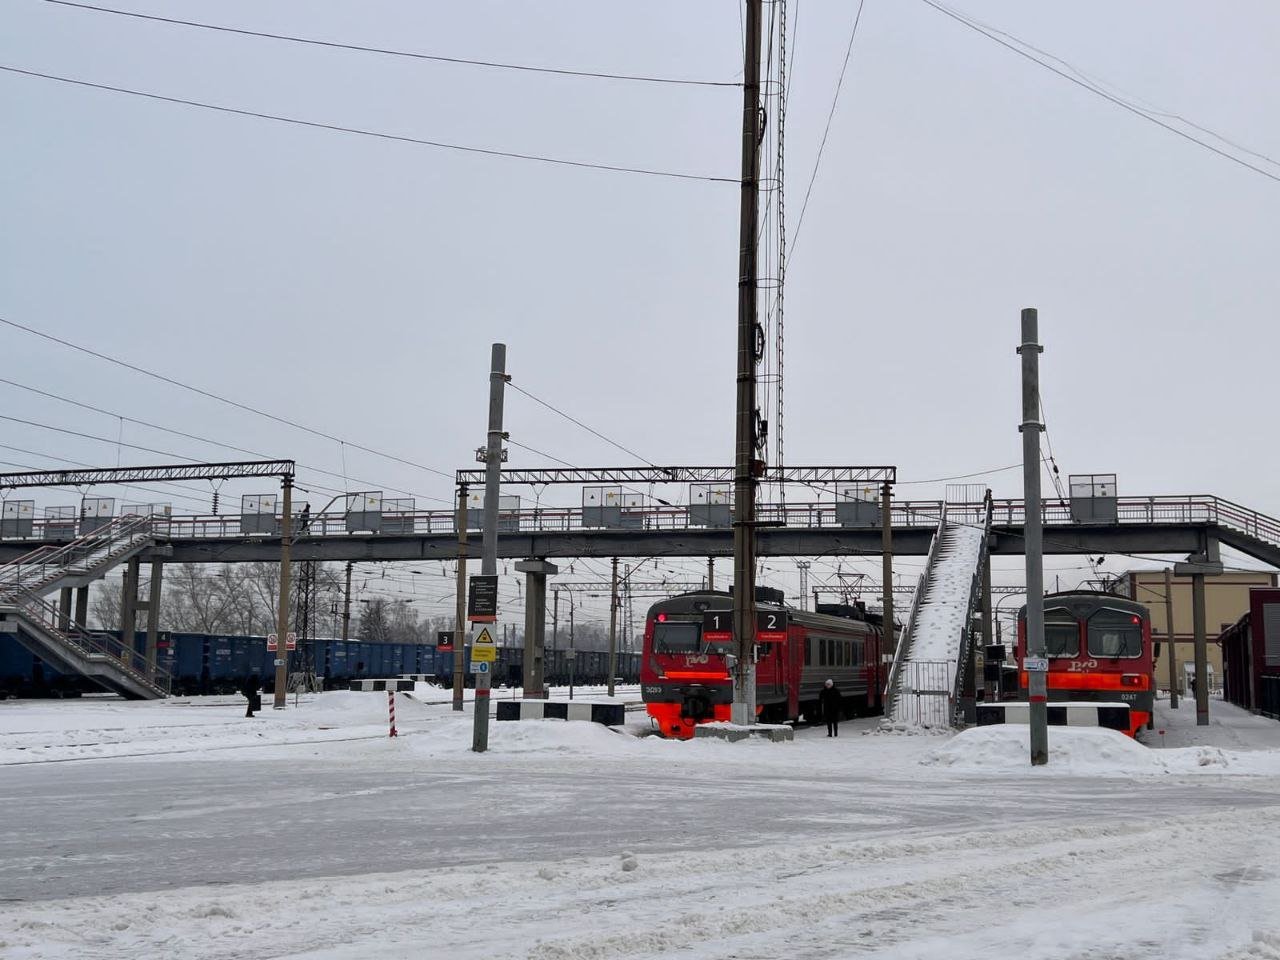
1099	650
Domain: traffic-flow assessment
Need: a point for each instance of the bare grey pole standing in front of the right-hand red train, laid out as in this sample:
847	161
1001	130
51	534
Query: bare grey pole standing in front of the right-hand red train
1037	679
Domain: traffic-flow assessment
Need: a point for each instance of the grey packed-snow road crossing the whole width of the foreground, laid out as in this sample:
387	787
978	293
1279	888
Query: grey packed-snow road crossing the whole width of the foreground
71	830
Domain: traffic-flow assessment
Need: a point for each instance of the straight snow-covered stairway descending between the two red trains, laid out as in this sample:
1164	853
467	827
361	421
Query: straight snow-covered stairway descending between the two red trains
929	668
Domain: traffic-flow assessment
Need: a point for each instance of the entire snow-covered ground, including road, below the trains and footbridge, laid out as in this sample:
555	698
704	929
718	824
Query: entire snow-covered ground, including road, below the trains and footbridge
309	834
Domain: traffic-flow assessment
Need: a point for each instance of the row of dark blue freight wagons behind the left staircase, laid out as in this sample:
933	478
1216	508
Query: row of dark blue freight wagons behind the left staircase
216	664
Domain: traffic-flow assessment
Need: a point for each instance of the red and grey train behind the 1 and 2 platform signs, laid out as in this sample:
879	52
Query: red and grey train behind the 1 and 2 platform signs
685	674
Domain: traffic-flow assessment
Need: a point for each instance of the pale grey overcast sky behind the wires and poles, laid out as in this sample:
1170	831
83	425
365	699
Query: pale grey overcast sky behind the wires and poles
355	285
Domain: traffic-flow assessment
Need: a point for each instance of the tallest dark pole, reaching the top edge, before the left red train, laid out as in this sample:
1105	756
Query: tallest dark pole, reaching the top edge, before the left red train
746	428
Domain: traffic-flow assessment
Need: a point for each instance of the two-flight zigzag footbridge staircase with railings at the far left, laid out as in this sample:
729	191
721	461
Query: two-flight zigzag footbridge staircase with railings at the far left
52	634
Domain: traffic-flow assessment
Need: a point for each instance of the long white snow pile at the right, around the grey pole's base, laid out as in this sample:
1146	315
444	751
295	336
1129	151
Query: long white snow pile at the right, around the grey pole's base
1092	752
